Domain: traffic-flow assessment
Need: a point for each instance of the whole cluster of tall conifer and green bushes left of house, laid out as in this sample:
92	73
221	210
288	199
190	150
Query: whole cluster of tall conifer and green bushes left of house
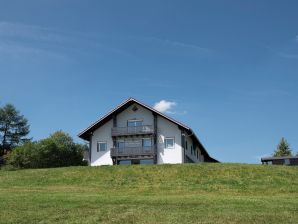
19	151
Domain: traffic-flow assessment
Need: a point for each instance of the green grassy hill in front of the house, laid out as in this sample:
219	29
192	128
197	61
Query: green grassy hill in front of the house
190	193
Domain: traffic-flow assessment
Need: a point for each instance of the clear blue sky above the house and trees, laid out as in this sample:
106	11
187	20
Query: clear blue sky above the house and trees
228	68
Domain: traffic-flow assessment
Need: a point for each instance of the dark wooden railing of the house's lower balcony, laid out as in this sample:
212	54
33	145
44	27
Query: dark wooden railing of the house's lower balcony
133	151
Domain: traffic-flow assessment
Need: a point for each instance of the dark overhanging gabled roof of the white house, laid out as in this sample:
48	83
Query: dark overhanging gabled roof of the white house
85	134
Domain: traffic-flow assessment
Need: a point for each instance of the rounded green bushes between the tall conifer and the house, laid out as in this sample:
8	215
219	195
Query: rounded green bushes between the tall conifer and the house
56	151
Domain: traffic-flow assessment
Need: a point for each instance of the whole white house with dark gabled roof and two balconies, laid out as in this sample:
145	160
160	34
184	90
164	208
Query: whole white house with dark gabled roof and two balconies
134	133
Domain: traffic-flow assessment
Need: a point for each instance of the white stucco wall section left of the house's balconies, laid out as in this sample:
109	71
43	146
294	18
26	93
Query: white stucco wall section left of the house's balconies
102	134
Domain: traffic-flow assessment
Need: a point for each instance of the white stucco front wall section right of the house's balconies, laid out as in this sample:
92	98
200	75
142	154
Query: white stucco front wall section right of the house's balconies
166	129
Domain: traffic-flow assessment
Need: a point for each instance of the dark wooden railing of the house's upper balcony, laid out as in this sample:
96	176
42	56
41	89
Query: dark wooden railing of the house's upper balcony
136	130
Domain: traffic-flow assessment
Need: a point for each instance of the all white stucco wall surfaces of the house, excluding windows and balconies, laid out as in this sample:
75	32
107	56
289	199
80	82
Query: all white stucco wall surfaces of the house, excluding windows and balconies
165	129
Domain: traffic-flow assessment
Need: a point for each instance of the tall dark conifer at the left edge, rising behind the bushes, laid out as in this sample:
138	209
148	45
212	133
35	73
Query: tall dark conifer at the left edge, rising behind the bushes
13	128
